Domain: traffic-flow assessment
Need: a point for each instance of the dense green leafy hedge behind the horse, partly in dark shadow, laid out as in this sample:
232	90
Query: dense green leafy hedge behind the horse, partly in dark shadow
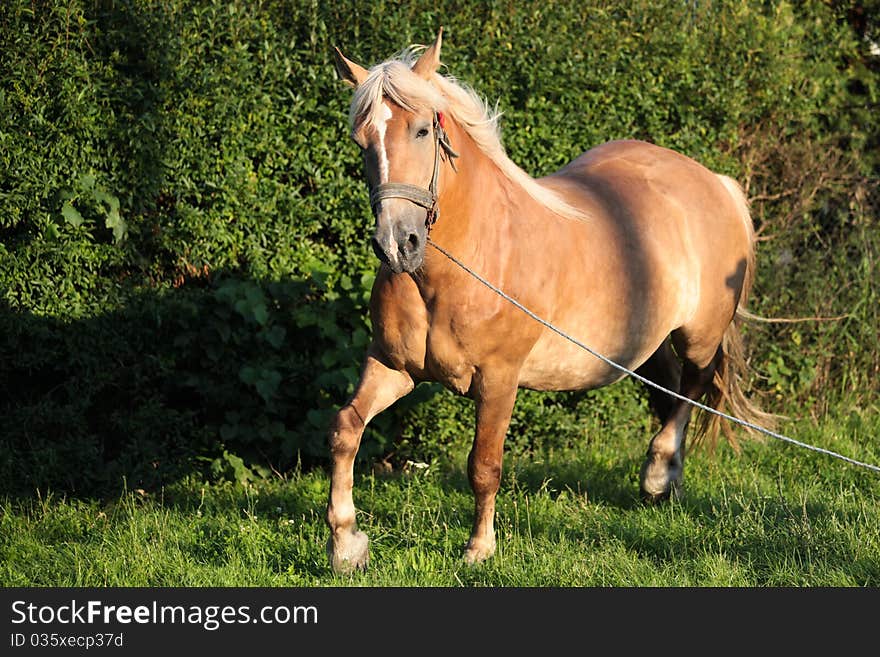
184	260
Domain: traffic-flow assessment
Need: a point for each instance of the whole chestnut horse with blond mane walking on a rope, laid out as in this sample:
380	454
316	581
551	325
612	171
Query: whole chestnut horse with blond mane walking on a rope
642	253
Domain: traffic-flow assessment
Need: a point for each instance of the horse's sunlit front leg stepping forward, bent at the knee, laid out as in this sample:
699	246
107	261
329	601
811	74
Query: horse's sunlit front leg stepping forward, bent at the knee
379	387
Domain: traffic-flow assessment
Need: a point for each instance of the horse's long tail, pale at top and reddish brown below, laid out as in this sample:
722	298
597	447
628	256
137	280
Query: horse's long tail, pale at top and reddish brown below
726	393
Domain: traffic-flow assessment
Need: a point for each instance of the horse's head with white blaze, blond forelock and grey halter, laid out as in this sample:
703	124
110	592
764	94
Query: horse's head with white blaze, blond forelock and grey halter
397	120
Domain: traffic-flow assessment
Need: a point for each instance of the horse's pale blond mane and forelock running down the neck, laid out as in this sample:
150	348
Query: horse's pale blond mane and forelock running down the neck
394	79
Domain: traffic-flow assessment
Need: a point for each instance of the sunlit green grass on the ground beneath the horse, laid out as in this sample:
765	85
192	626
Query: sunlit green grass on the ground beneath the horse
775	515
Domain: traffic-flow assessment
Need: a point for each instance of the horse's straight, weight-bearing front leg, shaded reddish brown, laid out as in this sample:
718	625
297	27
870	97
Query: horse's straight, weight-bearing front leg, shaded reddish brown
494	404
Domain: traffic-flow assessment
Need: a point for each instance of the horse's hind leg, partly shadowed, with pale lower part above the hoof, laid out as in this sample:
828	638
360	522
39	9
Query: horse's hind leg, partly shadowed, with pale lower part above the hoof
663	468
